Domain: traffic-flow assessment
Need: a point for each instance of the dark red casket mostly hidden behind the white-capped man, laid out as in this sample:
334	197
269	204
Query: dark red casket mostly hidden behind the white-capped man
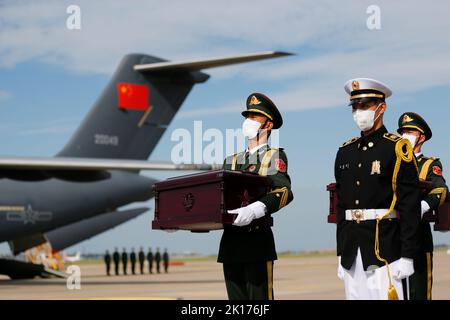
441	218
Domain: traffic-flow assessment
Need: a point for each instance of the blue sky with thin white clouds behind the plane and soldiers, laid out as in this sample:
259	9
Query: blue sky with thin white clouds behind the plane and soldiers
50	77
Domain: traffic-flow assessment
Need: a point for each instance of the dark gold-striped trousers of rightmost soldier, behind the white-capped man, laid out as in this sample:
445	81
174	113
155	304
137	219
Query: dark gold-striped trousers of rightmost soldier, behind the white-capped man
421	282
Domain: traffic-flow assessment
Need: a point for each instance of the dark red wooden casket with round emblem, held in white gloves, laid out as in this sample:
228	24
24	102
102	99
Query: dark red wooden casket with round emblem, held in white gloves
199	202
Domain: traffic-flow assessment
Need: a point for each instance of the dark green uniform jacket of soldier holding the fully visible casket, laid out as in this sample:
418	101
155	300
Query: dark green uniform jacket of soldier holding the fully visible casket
249	244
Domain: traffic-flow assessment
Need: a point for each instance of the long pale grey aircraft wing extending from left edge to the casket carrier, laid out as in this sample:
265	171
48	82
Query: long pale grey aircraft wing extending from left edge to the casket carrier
66	163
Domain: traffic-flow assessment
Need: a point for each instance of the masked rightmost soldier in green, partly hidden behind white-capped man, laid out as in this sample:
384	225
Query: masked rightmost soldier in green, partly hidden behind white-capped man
414	128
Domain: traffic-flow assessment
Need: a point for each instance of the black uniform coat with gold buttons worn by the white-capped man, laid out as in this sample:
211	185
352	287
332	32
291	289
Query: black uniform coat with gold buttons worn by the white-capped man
364	169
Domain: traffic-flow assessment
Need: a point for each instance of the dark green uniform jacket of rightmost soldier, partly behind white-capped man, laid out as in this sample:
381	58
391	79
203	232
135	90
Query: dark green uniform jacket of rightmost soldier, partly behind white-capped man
430	169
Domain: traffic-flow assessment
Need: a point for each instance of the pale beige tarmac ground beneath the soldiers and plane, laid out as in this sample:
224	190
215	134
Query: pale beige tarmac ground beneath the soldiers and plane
311	277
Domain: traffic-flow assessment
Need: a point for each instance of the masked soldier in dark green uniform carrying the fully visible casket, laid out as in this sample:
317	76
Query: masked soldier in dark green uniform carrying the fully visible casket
247	248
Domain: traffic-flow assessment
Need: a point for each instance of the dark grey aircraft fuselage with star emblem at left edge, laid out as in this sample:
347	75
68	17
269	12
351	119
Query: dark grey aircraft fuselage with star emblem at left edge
52	200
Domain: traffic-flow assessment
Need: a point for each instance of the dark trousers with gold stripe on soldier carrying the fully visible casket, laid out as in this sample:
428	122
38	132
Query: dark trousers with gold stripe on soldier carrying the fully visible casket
249	281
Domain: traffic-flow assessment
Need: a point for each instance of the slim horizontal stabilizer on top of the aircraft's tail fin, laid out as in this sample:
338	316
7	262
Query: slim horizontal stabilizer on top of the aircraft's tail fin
195	65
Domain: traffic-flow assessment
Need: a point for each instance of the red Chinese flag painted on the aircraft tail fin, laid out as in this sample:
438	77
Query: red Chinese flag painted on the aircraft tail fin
133	96
